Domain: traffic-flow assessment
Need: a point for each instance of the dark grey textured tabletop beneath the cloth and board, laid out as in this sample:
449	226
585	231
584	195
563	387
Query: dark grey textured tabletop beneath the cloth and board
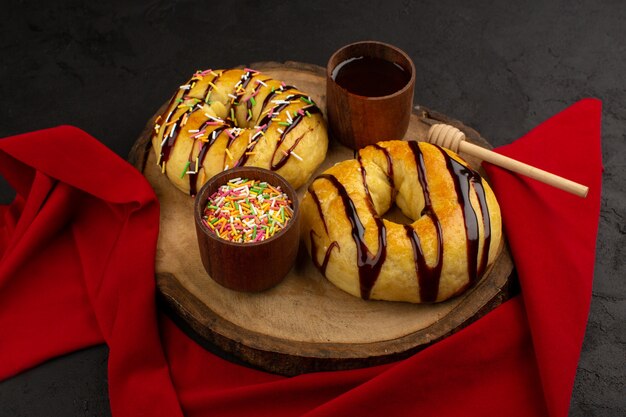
501	67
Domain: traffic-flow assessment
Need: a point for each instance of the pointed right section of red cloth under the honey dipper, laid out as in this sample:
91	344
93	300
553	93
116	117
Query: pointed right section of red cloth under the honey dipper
554	251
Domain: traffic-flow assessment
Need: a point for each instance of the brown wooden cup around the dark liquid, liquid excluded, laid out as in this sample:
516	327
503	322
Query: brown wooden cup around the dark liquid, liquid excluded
358	121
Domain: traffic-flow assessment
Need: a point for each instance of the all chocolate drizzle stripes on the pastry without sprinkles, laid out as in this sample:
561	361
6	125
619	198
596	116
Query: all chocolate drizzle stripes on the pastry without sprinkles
370	264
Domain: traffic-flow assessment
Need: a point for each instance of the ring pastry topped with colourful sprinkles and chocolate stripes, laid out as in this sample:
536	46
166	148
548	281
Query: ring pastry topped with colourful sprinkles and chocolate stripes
227	118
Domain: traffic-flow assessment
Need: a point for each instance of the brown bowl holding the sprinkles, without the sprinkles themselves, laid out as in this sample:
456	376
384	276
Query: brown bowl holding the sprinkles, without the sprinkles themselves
248	267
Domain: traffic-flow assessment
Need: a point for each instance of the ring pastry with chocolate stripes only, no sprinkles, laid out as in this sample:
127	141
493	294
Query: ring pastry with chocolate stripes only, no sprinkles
454	238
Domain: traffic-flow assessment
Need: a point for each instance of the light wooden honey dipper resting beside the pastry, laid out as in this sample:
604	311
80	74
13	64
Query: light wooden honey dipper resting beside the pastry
452	138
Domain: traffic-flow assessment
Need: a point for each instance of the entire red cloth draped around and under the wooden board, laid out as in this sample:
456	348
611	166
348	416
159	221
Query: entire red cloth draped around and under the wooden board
77	262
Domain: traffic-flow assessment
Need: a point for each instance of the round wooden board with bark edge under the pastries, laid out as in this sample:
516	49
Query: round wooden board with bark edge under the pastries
305	324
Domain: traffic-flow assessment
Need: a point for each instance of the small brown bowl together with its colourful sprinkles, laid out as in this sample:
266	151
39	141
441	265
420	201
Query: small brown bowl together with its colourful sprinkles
247	223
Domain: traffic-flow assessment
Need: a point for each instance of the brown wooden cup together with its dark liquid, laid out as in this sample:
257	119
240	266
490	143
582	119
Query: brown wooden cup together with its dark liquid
369	93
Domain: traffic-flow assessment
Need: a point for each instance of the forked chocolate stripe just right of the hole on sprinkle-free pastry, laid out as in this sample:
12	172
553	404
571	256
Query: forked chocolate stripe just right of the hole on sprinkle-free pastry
429	277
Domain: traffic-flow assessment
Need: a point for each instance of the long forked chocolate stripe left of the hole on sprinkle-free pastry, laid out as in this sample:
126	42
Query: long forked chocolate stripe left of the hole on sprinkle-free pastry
369	264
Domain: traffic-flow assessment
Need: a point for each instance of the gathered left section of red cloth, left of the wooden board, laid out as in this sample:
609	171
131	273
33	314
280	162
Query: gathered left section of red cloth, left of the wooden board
78	266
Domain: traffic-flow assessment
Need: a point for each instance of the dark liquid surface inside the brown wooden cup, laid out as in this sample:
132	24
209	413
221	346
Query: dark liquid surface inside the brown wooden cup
370	77
